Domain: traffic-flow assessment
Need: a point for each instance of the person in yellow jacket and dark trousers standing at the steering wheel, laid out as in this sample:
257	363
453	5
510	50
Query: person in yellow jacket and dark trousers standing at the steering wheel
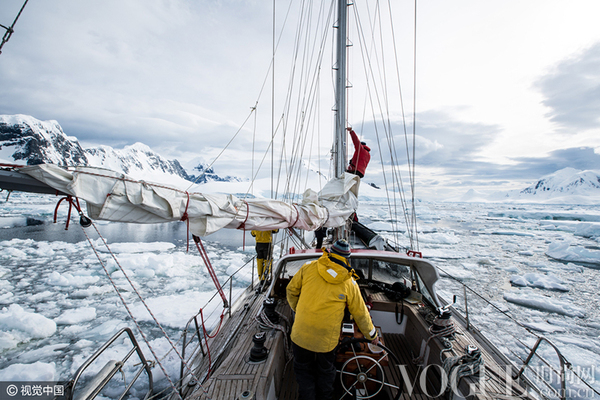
319	293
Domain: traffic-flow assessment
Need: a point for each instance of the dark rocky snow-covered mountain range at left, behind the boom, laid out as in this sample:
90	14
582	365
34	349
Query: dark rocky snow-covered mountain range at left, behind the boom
27	140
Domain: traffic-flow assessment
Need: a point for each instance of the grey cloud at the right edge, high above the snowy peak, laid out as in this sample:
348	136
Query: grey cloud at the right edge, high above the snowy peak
572	91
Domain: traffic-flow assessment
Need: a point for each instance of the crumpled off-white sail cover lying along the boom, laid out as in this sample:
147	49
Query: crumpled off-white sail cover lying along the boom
112	196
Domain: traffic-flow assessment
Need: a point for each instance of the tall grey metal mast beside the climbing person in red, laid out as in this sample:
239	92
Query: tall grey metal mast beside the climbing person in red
339	150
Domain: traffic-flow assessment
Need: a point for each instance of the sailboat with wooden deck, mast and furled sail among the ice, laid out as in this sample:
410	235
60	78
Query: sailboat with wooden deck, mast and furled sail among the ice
427	348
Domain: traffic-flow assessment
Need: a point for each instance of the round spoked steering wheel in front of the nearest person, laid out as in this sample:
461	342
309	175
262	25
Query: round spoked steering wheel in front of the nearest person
364	375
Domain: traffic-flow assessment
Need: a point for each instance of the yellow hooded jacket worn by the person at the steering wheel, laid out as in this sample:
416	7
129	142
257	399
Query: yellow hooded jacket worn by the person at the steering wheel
319	293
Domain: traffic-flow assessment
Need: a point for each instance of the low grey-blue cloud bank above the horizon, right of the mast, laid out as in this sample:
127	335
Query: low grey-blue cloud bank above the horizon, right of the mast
447	153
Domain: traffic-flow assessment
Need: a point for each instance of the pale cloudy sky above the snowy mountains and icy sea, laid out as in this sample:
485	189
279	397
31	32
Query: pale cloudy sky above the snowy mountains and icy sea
506	92
